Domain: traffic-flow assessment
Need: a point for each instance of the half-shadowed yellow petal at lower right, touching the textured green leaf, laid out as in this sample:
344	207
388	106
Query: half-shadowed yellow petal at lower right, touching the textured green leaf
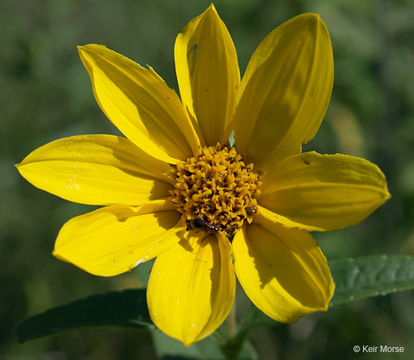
282	271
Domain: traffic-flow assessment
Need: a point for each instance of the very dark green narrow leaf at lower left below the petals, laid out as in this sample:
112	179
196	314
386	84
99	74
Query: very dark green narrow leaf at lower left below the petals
125	308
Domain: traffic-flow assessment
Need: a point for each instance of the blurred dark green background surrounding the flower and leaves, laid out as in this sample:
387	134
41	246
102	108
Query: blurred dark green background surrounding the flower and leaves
45	94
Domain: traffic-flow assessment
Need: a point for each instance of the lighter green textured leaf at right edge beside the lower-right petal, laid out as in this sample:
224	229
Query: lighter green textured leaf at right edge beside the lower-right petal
371	276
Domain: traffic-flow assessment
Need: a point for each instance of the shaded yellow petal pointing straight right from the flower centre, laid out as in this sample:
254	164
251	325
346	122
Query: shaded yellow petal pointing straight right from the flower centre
323	192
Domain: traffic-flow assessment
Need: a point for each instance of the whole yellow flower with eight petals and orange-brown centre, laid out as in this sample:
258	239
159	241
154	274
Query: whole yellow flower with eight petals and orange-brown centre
174	189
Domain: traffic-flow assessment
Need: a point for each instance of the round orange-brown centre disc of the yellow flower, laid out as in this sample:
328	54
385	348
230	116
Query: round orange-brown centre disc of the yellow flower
215	190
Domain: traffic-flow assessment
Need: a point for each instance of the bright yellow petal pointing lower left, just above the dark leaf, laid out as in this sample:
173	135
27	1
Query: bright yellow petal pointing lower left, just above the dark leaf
112	240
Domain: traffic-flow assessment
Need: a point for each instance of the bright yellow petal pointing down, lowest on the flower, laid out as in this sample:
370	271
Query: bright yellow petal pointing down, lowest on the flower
191	287
